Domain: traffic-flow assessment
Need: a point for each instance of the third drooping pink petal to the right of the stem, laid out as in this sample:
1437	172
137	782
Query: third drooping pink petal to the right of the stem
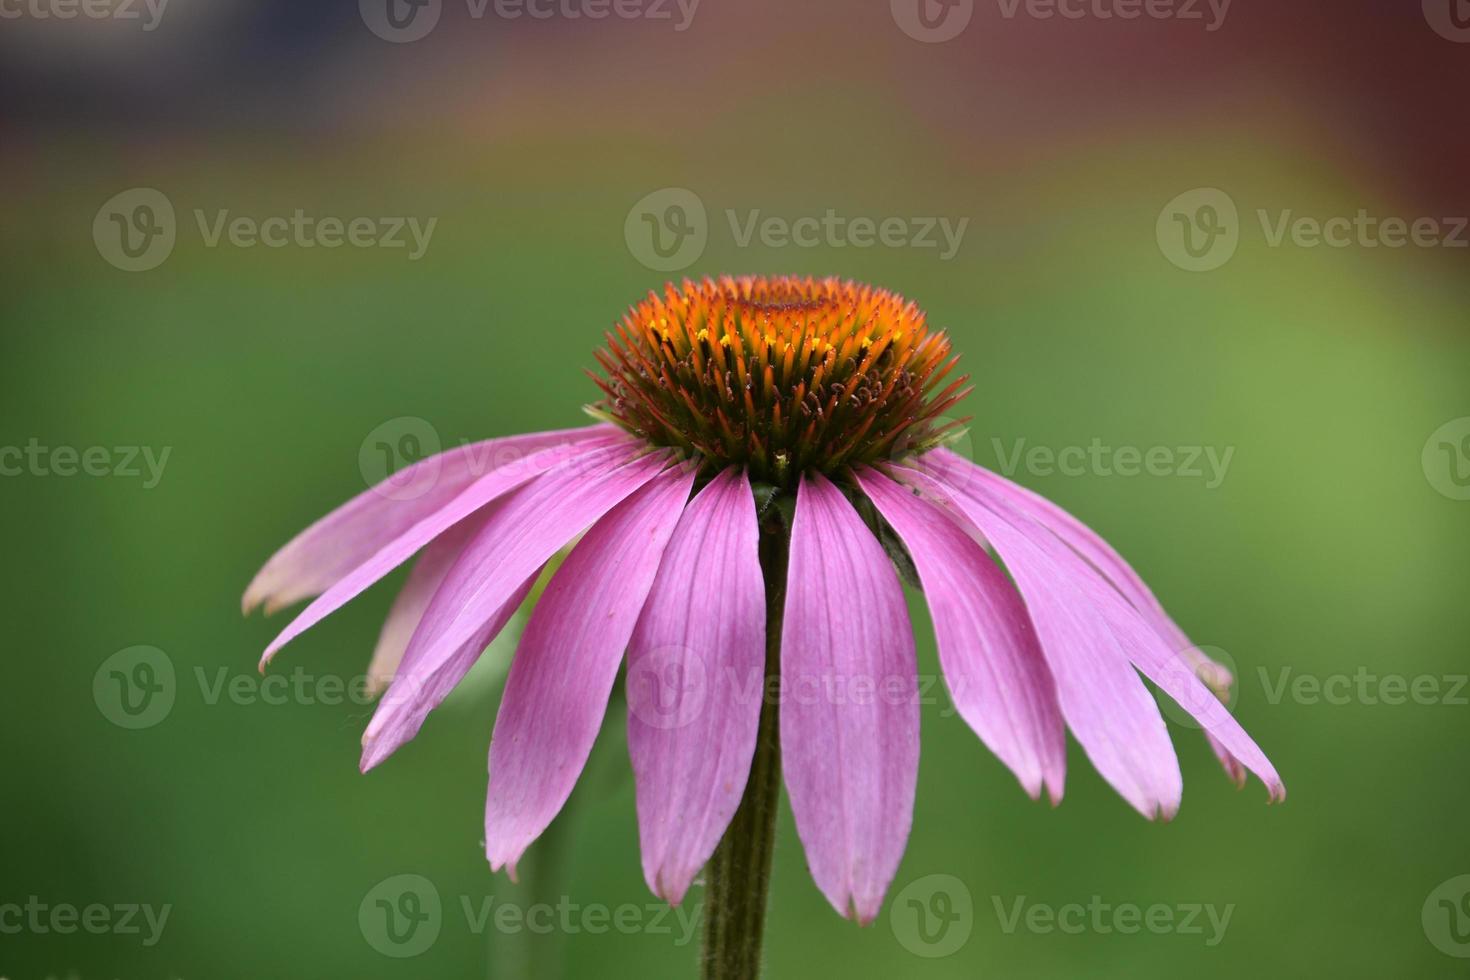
1102	697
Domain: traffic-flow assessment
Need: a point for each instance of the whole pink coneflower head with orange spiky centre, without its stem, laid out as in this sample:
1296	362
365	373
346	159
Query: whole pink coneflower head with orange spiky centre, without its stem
764	439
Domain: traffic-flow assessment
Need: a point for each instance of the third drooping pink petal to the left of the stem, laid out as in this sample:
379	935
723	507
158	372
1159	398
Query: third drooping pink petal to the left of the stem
521	536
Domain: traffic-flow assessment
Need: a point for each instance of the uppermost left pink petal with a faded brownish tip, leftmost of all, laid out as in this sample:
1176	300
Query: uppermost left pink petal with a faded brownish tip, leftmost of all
323	555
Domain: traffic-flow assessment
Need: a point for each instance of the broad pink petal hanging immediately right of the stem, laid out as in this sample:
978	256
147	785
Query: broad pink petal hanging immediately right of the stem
849	702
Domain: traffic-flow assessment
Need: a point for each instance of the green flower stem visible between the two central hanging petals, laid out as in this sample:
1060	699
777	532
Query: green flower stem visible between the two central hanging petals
739	875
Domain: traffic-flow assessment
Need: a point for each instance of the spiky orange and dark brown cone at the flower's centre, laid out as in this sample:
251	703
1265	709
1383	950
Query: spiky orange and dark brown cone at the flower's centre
783	375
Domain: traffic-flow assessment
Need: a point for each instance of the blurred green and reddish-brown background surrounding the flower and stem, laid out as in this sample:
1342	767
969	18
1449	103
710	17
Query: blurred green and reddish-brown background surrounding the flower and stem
1331	552
